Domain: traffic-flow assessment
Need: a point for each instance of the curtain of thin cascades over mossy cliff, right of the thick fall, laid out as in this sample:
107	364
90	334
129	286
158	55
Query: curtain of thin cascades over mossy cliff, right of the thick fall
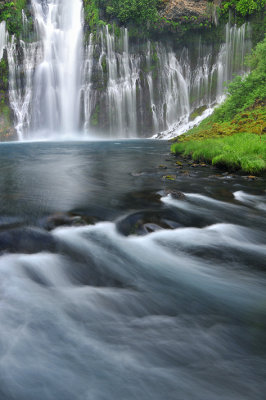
140	90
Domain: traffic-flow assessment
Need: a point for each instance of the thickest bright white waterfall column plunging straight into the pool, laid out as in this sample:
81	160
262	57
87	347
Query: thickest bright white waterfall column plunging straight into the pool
56	86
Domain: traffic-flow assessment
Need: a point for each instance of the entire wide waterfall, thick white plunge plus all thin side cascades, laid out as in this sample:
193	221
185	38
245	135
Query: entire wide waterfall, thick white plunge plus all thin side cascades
111	86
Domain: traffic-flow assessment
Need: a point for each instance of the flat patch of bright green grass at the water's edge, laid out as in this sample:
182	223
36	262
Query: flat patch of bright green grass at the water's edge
245	151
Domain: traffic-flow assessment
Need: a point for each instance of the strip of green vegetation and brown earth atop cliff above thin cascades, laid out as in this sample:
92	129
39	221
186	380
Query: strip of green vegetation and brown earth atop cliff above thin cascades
171	15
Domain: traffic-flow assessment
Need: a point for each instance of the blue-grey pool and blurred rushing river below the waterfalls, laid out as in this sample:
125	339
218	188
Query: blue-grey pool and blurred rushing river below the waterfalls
144	293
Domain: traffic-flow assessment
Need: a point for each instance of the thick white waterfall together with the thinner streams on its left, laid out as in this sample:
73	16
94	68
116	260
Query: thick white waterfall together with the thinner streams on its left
44	76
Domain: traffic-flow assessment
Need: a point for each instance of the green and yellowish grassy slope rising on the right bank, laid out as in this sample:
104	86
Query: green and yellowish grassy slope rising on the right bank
235	134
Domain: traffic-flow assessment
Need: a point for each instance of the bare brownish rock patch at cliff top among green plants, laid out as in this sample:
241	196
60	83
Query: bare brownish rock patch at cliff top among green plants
187	10
